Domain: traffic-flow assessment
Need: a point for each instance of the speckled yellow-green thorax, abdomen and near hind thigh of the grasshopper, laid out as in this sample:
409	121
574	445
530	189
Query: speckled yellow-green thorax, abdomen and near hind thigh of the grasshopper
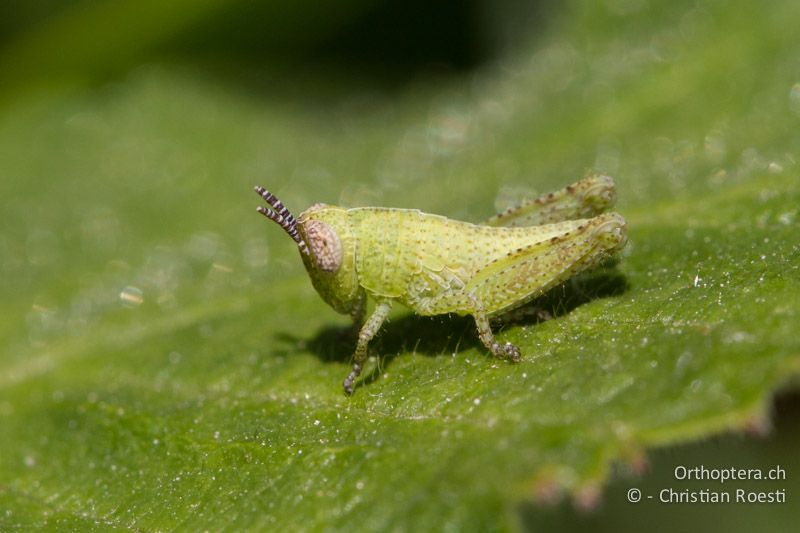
432	264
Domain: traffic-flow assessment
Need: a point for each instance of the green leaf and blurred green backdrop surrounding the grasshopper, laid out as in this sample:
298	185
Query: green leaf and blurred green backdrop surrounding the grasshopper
166	364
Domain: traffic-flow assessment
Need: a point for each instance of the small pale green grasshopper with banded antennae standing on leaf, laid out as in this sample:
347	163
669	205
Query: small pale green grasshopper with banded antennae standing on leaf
435	265
